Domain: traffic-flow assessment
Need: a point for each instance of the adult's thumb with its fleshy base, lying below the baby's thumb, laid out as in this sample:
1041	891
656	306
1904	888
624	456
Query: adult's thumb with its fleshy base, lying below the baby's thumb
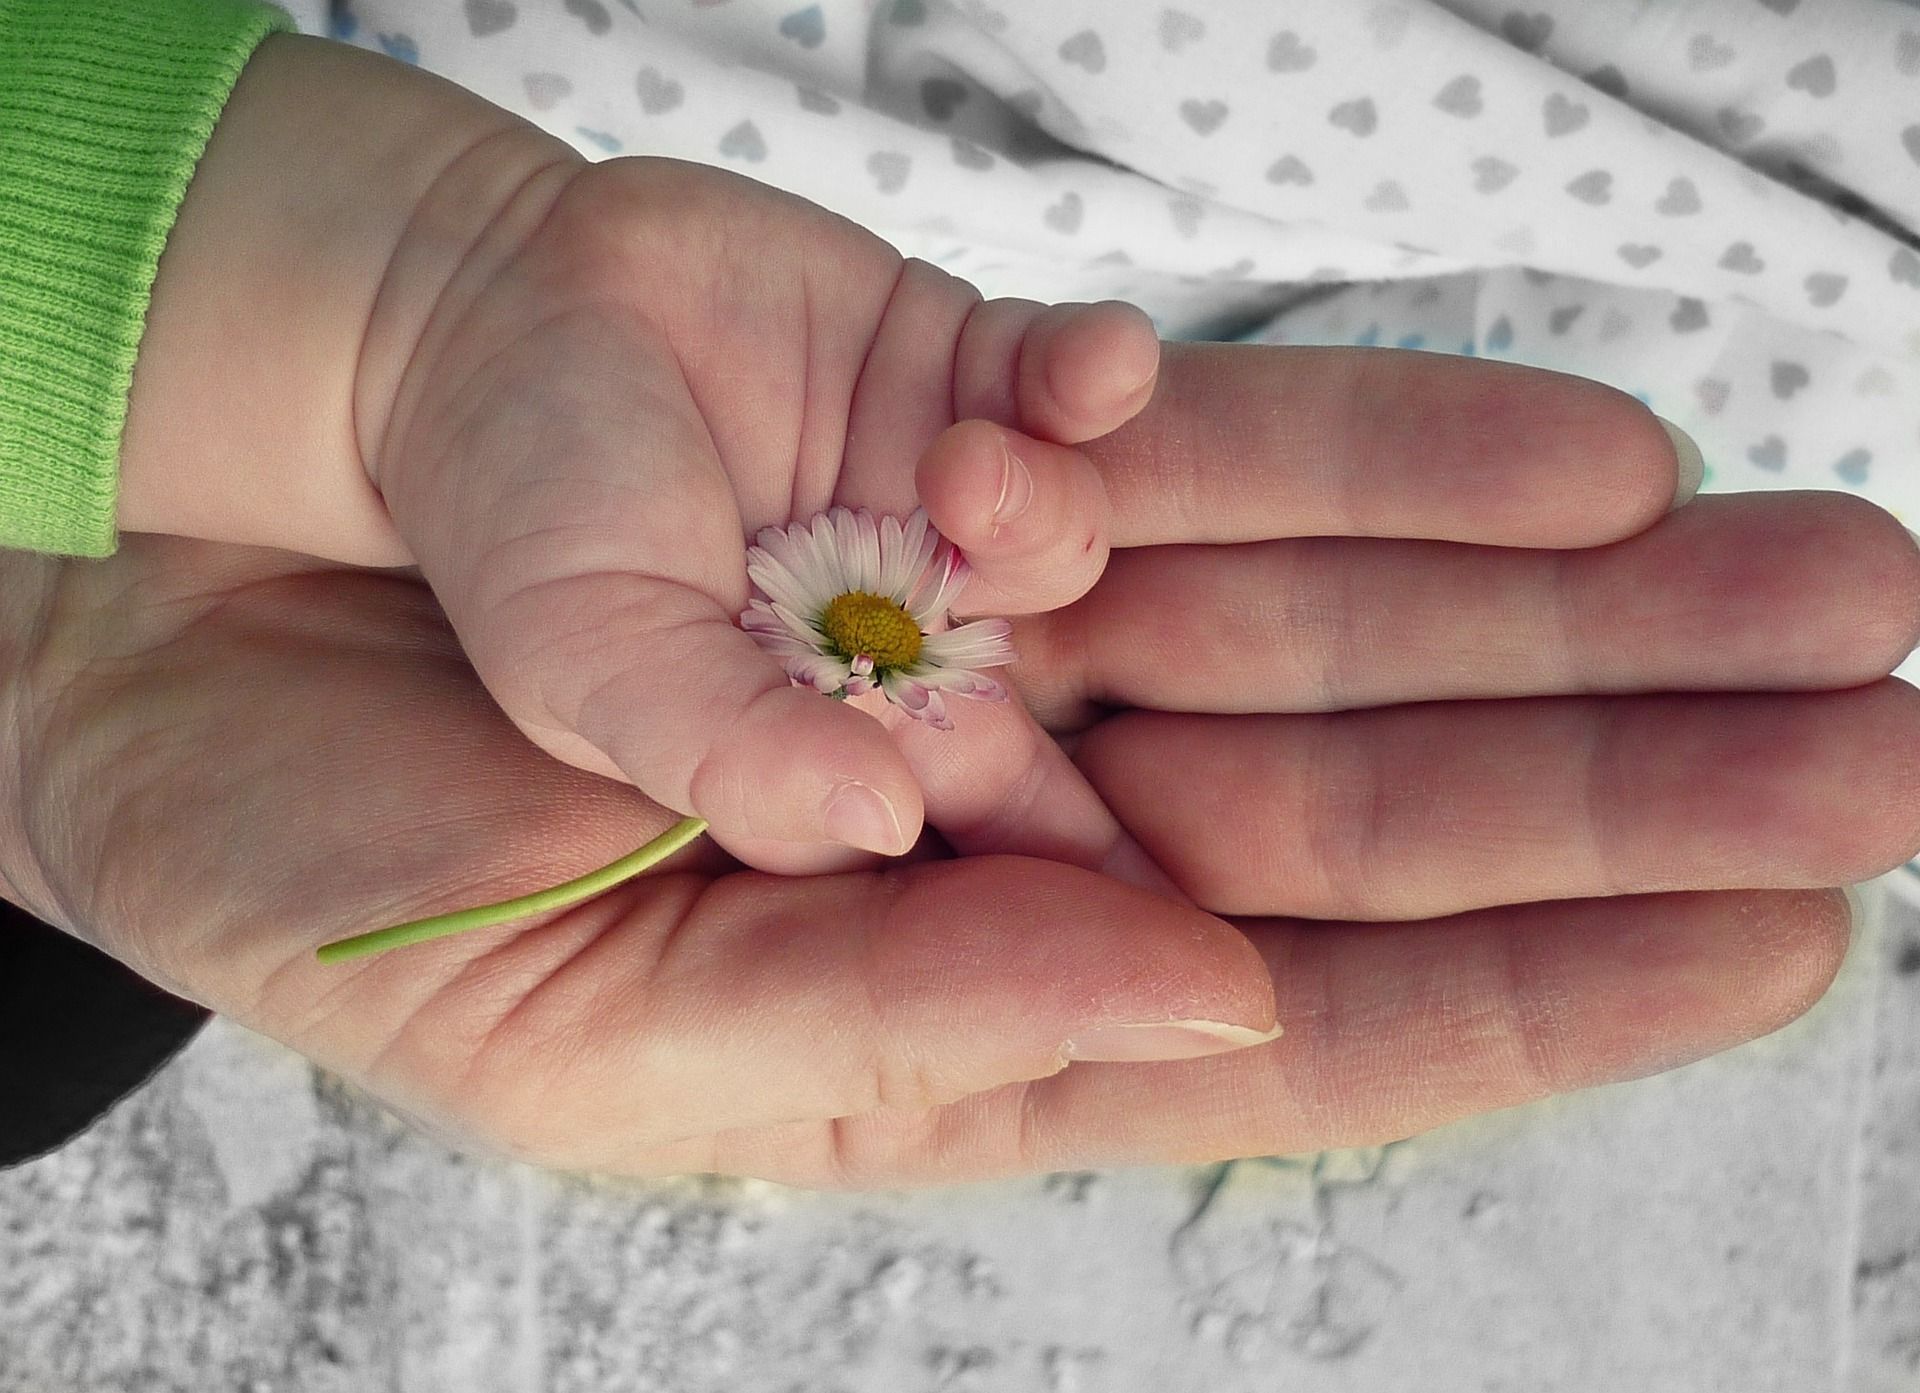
675	1008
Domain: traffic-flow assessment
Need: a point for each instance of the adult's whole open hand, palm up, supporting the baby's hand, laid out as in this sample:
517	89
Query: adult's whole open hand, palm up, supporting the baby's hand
229	757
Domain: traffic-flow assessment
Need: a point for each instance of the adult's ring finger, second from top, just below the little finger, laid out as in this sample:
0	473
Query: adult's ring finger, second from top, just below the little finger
1800	590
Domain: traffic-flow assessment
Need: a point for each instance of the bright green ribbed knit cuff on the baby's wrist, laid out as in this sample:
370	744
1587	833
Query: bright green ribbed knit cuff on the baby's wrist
105	110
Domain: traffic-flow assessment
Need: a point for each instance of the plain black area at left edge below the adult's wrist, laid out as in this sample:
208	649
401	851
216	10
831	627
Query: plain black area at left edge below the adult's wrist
80	1031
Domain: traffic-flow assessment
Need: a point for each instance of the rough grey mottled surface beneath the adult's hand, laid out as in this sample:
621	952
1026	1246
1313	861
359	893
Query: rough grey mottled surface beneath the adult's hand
1750	1223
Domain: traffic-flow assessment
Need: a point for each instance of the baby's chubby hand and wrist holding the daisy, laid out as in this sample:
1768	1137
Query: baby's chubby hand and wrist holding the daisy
571	394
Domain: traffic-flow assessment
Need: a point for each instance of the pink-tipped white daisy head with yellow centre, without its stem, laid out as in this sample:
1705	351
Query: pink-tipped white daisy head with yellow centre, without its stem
852	605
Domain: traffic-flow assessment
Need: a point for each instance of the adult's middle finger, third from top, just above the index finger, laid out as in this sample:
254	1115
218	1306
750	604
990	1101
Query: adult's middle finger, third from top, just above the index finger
1406	813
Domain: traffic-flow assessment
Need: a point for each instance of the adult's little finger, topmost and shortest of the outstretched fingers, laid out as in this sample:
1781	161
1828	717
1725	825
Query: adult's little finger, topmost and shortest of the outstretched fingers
1243	442
